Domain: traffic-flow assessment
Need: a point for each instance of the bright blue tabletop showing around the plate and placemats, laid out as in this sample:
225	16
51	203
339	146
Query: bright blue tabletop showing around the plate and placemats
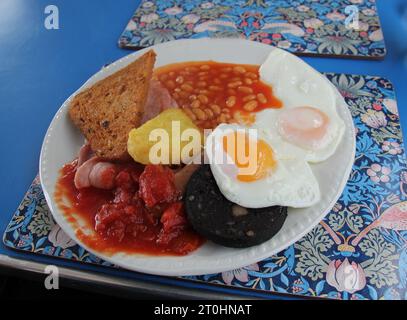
40	68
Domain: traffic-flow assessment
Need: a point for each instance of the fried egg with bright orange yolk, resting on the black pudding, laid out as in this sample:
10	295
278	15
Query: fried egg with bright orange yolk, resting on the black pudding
250	173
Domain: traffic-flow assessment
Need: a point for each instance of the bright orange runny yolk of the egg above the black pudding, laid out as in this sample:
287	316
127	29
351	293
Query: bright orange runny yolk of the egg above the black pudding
253	158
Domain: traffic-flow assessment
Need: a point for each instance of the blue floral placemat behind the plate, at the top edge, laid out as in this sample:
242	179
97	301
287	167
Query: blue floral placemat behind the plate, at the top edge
346	28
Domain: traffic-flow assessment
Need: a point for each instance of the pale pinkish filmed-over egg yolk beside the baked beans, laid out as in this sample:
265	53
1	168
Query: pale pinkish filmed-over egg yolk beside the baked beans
305	127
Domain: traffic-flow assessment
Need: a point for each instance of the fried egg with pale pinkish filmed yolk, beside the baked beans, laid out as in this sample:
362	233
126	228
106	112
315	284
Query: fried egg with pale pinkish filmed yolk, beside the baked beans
308	125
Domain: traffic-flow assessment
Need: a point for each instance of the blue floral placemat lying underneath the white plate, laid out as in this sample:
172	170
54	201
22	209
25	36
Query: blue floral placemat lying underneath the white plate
359	251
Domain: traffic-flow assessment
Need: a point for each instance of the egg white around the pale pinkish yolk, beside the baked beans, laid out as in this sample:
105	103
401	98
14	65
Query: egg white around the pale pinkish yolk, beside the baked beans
297	84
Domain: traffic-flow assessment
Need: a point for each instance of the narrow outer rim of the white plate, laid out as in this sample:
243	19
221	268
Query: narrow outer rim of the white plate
180	270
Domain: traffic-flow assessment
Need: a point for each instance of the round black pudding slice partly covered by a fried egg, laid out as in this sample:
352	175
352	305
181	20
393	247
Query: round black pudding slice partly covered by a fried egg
224	222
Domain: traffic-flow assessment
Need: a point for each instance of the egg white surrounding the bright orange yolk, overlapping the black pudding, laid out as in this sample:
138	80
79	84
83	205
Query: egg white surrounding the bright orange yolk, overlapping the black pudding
290	183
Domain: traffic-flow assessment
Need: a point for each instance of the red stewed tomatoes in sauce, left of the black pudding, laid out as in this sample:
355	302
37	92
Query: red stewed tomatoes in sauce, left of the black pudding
121	220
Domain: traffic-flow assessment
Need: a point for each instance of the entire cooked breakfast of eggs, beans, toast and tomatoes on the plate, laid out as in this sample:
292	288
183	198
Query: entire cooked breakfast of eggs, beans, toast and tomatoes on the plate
137	184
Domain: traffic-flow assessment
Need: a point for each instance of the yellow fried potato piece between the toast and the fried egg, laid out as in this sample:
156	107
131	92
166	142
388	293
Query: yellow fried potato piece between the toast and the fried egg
169	138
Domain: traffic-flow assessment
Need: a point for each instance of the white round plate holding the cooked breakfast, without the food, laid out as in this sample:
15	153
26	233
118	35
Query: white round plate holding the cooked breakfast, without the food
63	140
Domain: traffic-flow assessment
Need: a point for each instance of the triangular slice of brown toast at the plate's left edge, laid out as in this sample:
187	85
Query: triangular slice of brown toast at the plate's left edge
107	111
